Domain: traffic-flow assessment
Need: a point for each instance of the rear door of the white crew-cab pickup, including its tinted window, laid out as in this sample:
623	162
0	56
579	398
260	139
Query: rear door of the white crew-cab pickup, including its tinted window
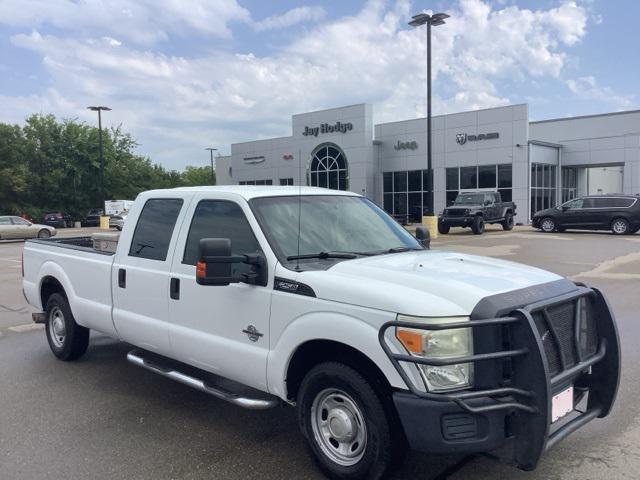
140	275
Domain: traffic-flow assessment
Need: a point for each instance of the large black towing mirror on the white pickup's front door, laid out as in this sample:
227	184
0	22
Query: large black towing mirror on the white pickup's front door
215	262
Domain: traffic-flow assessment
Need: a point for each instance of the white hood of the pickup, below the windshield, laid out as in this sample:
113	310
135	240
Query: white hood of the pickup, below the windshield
425	283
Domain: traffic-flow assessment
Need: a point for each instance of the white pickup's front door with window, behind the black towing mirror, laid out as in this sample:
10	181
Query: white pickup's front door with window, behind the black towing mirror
210	326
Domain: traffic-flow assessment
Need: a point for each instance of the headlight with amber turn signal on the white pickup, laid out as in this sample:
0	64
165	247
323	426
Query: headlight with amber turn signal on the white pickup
439	344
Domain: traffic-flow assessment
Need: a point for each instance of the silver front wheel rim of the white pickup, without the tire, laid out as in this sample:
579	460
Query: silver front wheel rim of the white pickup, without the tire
338	427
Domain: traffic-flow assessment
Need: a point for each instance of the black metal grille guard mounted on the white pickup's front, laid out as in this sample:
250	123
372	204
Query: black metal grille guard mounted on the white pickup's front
527	396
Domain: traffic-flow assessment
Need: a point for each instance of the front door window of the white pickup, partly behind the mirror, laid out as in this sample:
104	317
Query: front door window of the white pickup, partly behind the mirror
220	219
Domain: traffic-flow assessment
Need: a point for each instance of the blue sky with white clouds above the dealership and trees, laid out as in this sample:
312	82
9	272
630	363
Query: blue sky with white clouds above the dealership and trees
182	75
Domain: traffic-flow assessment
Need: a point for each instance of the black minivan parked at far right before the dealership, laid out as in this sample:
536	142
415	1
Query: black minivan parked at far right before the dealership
618	213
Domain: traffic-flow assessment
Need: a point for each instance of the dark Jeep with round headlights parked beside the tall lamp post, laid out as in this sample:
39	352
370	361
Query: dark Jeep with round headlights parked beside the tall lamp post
475	210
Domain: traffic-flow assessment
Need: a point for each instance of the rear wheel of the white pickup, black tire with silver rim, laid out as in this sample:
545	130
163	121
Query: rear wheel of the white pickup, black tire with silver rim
68	340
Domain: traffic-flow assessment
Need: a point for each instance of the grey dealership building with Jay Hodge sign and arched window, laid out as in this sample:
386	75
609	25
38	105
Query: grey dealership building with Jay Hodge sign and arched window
535	164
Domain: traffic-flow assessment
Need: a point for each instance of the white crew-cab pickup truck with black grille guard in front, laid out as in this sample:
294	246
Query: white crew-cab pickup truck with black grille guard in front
316	298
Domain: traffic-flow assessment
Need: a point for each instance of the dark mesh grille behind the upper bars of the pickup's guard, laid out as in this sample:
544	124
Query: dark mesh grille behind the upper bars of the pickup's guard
556	326
